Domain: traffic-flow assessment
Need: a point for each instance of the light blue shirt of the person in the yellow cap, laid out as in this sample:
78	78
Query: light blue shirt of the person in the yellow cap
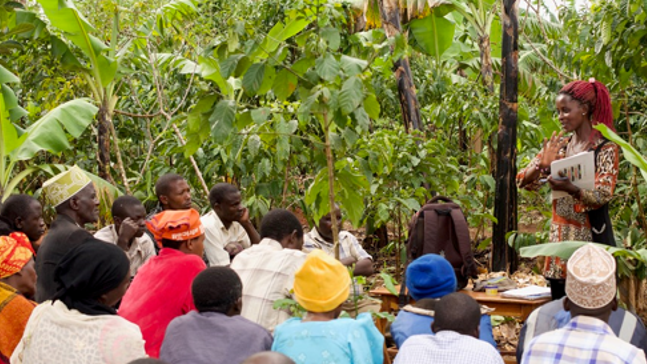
344	340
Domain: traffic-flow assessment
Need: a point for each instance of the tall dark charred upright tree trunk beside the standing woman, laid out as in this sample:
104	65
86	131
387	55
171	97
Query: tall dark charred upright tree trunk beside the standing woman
505	205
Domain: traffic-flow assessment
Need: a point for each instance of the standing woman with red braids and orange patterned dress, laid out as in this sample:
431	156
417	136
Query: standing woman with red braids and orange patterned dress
583	215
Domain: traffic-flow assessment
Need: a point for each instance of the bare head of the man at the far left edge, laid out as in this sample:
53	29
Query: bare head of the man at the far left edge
25	214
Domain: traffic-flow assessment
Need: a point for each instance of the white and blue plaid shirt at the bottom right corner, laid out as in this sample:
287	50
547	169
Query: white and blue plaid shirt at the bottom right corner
583	340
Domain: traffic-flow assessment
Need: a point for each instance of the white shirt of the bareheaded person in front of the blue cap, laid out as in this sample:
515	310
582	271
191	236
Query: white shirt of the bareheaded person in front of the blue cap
447	347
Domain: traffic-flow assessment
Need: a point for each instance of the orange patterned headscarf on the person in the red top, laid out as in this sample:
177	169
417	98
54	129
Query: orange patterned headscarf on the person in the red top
176	225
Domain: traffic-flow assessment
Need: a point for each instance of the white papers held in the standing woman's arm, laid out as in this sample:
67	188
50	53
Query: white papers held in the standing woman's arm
580	169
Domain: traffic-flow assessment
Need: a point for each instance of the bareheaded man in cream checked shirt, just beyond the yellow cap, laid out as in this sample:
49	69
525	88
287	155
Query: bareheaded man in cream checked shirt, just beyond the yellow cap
267	269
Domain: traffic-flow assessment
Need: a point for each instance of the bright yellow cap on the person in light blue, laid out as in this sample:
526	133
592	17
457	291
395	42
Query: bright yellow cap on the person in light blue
322	283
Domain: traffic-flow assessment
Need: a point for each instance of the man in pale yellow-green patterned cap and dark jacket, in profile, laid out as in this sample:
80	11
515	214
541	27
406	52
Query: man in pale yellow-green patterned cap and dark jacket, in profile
73	196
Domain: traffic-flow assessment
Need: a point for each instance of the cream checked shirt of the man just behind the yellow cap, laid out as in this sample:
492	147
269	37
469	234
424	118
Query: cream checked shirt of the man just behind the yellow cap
267	272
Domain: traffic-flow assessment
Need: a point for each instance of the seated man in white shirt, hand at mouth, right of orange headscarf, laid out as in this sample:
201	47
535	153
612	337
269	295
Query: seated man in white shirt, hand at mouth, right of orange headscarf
227	227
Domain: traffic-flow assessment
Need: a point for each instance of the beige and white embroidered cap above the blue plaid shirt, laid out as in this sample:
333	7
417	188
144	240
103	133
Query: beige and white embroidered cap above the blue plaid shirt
590	277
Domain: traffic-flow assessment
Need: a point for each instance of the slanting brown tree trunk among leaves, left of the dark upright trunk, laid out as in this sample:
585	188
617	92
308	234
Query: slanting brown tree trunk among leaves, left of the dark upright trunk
390	14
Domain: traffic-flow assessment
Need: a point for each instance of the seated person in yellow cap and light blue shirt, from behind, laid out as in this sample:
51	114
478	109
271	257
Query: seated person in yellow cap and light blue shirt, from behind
321	286
